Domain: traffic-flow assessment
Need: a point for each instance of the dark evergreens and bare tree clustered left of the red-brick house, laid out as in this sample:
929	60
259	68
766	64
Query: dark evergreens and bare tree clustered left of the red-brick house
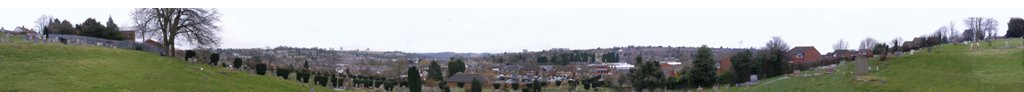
769	62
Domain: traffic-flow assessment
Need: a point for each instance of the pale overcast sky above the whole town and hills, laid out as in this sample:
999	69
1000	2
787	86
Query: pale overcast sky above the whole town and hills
513	30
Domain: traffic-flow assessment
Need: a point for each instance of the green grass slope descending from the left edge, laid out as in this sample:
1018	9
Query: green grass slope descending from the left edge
56	68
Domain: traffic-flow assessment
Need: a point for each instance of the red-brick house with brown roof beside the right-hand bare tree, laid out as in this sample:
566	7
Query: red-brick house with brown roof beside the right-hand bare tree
802	55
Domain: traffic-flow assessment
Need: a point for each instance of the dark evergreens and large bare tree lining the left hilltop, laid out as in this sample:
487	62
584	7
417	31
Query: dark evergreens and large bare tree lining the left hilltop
194	26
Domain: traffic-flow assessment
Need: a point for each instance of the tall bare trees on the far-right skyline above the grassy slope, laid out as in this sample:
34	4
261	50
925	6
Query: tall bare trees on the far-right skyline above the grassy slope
987	25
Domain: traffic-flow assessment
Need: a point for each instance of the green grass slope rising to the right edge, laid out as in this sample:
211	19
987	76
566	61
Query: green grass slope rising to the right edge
950	68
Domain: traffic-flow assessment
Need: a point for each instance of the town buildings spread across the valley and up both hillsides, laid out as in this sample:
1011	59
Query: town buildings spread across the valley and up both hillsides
528	66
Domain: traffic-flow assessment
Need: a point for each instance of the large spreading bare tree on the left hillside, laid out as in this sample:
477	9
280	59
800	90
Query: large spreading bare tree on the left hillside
196	26
